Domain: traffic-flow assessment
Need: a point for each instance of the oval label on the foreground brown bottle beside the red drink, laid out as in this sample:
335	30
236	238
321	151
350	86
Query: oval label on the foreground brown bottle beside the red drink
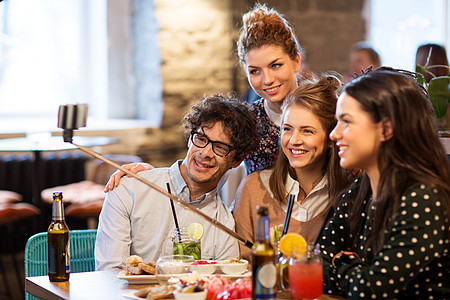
266	279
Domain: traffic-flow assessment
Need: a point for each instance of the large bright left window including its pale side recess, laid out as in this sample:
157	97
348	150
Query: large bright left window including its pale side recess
55	52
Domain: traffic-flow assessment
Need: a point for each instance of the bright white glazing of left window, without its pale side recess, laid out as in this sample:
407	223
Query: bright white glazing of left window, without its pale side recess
45	56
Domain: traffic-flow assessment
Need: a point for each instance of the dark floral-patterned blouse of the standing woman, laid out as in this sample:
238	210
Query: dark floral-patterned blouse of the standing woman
267	151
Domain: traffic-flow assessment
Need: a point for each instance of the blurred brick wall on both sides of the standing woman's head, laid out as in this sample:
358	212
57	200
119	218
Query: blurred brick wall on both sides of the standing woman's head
197	44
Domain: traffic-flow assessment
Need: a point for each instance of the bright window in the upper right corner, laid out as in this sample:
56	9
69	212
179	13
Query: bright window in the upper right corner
398	27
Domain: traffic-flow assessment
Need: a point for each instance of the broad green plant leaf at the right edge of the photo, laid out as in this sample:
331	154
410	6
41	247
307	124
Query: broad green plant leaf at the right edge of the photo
439	92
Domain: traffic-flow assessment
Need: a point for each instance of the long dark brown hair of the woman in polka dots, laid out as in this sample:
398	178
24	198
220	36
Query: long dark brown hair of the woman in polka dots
413	155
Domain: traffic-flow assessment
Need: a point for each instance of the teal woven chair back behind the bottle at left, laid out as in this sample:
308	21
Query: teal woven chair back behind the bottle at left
82	243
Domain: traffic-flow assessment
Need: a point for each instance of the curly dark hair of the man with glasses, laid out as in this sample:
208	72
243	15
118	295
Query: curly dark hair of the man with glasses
236	117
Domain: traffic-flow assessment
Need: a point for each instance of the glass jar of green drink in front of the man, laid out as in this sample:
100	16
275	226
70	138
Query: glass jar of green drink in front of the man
182	243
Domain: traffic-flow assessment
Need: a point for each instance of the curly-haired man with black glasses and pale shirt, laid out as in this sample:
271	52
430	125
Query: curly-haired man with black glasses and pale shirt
136	220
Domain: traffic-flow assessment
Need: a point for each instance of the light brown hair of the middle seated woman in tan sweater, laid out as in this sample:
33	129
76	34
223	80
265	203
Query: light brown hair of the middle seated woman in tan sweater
319	95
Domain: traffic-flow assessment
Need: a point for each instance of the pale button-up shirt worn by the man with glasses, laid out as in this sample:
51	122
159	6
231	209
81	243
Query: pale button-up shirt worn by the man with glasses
137	219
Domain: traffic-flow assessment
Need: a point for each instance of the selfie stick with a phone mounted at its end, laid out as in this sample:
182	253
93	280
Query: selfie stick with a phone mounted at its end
73	116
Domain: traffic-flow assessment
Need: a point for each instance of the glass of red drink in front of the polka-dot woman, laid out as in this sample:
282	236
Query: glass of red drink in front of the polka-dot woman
305	273
